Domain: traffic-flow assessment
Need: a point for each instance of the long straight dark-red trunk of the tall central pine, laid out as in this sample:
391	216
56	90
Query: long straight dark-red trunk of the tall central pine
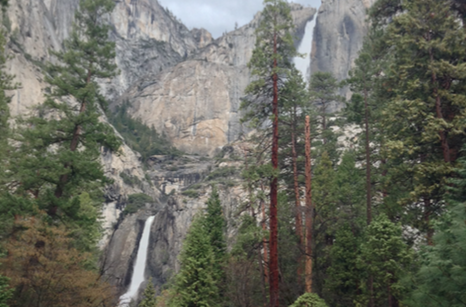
273	242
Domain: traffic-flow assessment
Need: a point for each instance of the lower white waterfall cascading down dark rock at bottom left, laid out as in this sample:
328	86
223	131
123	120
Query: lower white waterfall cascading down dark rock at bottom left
139	266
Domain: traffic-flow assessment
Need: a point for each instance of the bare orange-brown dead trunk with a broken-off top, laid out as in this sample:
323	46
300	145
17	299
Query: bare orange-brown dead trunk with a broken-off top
309	208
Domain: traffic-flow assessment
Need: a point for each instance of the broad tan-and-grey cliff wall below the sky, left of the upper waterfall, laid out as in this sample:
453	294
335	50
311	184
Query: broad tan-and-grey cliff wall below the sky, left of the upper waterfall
196	103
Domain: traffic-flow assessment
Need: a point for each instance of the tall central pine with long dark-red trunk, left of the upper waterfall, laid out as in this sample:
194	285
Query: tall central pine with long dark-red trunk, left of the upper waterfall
270	63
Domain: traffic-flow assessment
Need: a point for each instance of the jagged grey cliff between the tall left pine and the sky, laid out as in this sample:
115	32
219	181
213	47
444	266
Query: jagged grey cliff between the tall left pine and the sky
148	39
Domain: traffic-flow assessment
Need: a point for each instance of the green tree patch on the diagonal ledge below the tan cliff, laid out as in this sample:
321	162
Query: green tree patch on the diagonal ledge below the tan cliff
141	138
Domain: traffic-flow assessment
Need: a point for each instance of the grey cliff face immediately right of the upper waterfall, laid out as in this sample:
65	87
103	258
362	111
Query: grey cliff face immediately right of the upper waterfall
338	36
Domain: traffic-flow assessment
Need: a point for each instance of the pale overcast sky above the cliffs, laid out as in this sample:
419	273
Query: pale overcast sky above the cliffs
219	16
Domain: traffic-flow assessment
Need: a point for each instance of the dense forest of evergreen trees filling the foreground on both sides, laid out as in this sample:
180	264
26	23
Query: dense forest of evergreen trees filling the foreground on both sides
360	205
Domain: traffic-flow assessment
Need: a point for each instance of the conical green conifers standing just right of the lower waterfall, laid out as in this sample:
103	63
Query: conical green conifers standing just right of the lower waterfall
201	277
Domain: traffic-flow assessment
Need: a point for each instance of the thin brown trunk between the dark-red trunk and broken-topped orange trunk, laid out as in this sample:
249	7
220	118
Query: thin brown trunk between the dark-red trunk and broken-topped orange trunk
298	213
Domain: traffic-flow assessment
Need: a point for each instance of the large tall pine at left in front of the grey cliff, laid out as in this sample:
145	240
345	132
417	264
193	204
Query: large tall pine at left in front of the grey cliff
58	156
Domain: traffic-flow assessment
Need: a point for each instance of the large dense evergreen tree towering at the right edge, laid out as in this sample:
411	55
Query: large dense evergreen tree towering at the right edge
425	115
